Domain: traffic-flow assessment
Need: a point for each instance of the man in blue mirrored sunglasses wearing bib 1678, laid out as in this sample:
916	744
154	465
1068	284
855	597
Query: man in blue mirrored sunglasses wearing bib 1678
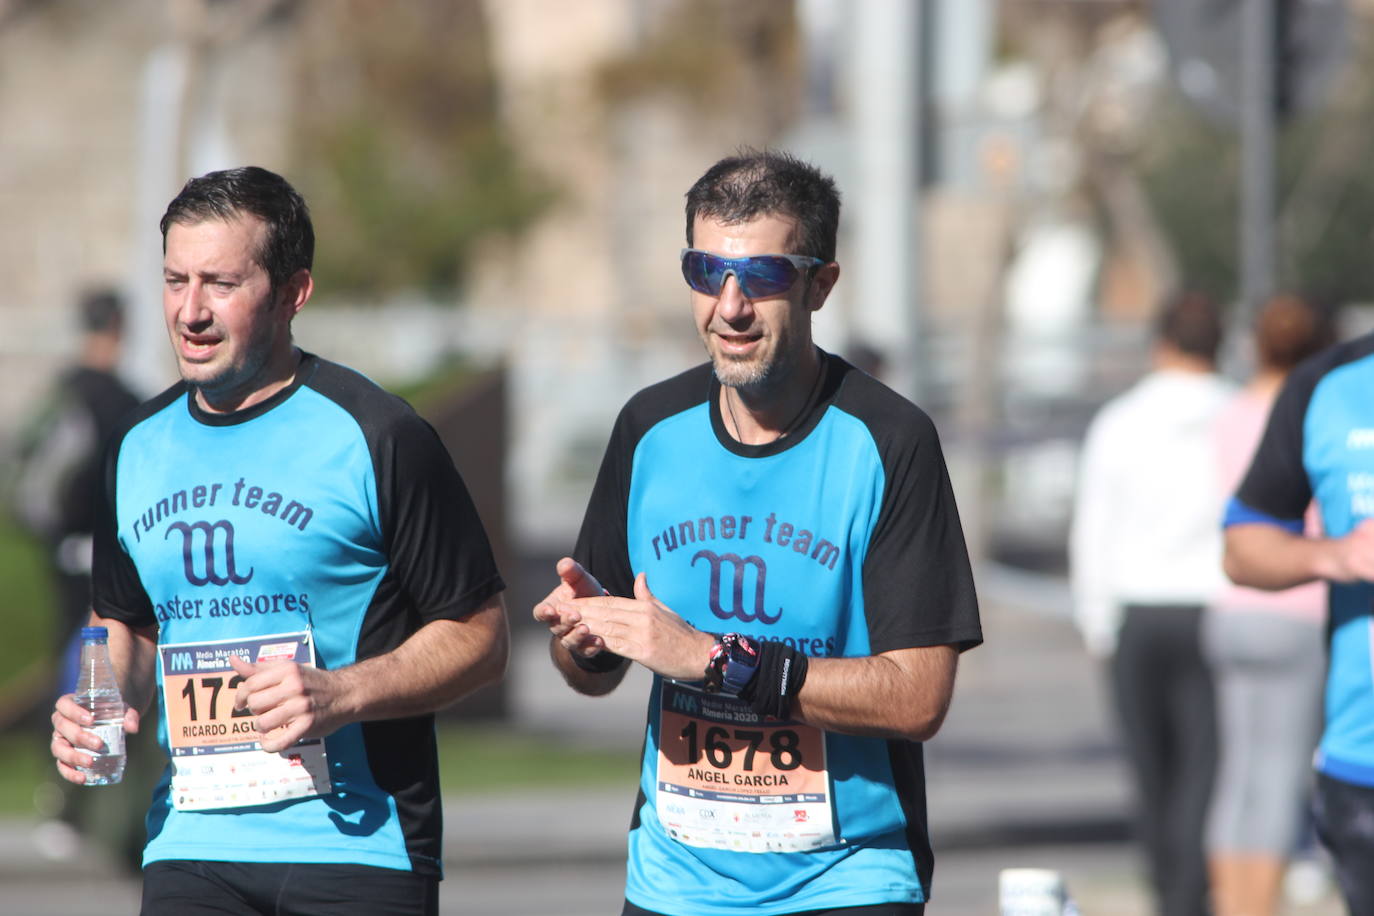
774	536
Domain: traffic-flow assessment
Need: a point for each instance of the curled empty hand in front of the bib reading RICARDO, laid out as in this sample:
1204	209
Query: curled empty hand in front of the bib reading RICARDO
288	701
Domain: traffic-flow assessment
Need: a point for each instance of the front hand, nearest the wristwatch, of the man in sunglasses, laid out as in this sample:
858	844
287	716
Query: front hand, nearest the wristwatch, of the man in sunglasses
646	631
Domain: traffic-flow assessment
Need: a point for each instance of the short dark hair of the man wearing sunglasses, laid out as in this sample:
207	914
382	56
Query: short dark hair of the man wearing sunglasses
758	183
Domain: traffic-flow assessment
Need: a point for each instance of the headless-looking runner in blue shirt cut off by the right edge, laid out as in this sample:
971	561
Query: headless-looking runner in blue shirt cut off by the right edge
1320	446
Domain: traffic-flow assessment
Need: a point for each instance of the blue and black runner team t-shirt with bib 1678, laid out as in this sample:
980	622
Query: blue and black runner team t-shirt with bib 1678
840	540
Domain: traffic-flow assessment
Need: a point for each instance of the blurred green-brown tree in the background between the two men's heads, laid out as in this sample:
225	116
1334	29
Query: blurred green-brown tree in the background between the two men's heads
398	138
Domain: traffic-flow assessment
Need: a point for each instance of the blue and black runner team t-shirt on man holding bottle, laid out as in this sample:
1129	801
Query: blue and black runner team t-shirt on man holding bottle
325	525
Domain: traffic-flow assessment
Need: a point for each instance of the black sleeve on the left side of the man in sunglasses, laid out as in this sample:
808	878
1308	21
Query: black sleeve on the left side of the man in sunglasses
602	549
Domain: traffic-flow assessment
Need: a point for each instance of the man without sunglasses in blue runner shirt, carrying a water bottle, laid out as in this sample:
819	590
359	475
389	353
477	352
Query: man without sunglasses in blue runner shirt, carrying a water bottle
288	560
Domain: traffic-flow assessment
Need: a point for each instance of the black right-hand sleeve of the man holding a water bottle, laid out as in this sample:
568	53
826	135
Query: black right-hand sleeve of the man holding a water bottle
436	543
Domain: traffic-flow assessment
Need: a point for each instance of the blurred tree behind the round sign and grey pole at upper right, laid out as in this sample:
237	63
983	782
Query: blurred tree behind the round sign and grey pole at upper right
1164	176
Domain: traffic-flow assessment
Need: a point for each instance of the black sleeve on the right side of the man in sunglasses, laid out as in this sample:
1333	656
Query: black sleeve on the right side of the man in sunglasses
917	579
